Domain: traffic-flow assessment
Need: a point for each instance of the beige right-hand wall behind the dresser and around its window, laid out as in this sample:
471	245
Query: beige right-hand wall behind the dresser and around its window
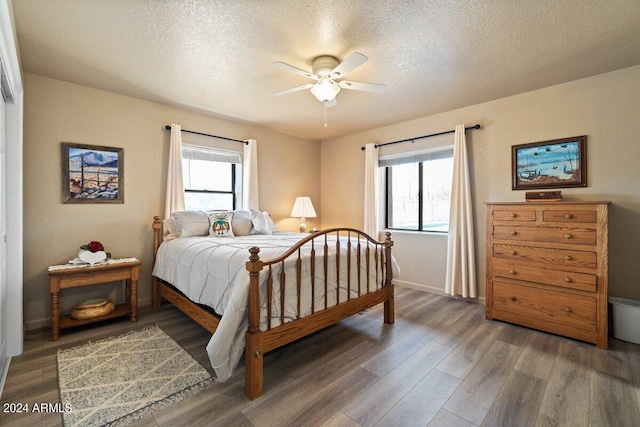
606	108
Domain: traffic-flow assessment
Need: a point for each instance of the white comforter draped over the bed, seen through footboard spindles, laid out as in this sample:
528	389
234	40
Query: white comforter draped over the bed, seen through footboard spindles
212	271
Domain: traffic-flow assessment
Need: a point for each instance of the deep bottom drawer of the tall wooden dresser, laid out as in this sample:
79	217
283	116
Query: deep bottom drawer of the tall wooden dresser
571	310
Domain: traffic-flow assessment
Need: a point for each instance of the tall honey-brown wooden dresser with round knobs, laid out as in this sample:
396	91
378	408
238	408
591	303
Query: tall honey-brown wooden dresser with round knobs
547	267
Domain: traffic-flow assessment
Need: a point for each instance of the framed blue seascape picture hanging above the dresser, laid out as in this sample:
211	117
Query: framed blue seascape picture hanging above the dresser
559	163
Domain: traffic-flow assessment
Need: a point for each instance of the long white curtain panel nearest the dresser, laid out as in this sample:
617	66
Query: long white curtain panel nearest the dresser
461	267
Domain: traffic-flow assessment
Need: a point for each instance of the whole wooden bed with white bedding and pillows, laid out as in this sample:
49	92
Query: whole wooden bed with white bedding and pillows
256	292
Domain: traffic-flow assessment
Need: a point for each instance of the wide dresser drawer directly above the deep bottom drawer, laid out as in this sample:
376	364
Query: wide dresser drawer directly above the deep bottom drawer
547	276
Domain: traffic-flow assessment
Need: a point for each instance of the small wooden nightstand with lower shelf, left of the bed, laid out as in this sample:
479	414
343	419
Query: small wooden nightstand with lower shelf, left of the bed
71	276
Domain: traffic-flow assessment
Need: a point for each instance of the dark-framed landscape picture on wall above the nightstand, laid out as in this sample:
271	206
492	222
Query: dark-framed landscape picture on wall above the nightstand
92	174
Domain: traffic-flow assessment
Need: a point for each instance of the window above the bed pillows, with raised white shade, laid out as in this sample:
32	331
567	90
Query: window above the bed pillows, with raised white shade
211	178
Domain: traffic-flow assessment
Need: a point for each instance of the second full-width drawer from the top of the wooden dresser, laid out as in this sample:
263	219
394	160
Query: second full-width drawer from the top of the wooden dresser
545	257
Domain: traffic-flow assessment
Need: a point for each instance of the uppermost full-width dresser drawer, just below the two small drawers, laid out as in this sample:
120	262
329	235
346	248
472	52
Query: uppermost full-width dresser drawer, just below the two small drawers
547	234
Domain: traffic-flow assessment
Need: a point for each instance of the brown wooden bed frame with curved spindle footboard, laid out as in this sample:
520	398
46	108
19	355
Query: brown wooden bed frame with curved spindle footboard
259	342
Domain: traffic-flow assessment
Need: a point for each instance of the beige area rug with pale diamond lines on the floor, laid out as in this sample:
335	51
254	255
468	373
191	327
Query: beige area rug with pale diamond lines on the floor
116	381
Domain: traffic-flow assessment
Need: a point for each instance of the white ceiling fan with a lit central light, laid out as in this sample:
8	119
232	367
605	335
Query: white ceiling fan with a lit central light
327	71
